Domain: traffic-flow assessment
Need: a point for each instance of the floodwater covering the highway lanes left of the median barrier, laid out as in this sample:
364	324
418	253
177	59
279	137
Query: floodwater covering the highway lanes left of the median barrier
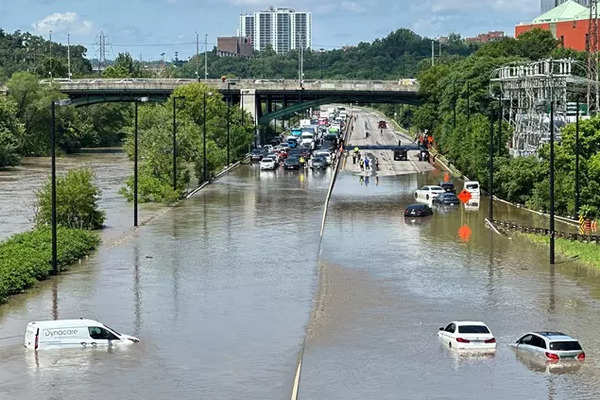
219	290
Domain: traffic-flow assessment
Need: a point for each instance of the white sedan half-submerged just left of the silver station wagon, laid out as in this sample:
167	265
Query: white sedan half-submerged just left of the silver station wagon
467	335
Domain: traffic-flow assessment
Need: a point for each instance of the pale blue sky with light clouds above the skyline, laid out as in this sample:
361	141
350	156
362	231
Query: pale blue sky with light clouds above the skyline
147	28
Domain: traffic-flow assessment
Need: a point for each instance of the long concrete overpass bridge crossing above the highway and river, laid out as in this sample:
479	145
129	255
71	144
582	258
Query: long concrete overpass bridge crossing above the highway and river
265	99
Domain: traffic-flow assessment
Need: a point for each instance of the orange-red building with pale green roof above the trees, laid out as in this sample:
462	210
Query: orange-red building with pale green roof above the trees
568	23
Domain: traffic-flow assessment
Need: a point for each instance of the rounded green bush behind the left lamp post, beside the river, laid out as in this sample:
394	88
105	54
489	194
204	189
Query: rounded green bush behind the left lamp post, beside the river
76	201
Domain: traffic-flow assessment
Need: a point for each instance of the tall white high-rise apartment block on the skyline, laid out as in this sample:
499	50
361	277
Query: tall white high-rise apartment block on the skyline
283	29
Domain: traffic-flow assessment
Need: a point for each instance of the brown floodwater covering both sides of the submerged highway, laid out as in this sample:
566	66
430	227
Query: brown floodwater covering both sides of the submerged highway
224	288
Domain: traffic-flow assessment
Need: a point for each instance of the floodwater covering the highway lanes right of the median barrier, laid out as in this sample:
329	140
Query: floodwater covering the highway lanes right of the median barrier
403	278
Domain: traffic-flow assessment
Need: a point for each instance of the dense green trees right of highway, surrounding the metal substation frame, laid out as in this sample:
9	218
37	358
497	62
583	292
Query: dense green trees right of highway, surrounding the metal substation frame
524	180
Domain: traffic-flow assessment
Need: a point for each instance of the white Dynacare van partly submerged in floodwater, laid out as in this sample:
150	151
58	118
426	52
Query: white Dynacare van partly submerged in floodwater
72	333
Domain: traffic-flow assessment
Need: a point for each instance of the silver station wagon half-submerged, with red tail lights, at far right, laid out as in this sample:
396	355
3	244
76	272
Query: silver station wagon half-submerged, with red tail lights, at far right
550	346
